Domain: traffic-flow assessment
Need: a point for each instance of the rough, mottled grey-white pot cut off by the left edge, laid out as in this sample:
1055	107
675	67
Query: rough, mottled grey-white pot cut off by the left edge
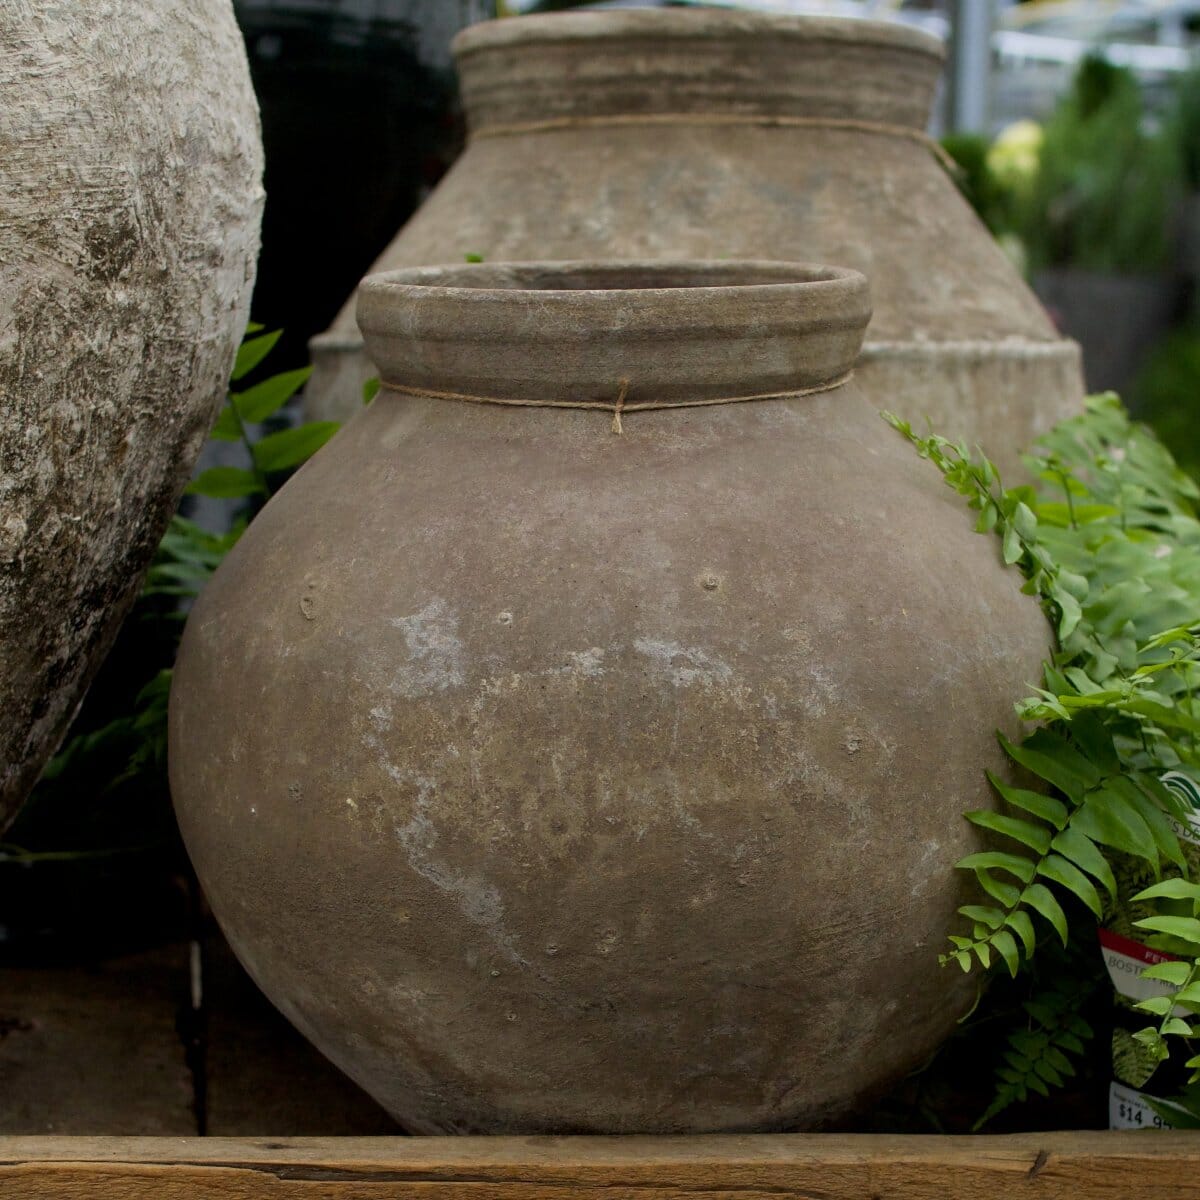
129	232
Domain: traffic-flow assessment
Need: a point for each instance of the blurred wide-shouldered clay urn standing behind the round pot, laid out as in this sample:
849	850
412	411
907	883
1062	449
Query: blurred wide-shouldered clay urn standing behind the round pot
730	135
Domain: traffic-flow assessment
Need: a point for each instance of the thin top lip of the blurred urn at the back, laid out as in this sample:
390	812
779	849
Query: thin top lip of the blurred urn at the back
698	25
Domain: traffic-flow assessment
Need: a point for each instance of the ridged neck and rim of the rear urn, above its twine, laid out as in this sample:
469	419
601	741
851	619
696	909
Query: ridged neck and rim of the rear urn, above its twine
652	63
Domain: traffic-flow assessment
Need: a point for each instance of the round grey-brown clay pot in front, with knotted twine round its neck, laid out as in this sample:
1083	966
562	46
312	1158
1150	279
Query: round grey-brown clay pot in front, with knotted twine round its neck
551	778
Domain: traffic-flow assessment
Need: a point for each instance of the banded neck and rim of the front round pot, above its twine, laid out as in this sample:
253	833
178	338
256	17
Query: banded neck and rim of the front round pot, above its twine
585	334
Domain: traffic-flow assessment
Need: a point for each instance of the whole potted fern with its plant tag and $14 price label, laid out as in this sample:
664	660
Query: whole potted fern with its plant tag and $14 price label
1093	878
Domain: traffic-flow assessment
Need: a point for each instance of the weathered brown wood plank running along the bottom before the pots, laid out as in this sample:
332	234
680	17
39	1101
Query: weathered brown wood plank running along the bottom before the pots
796	1167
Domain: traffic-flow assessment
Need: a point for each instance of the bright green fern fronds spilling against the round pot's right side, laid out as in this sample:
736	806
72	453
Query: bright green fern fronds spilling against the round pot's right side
1109	542
